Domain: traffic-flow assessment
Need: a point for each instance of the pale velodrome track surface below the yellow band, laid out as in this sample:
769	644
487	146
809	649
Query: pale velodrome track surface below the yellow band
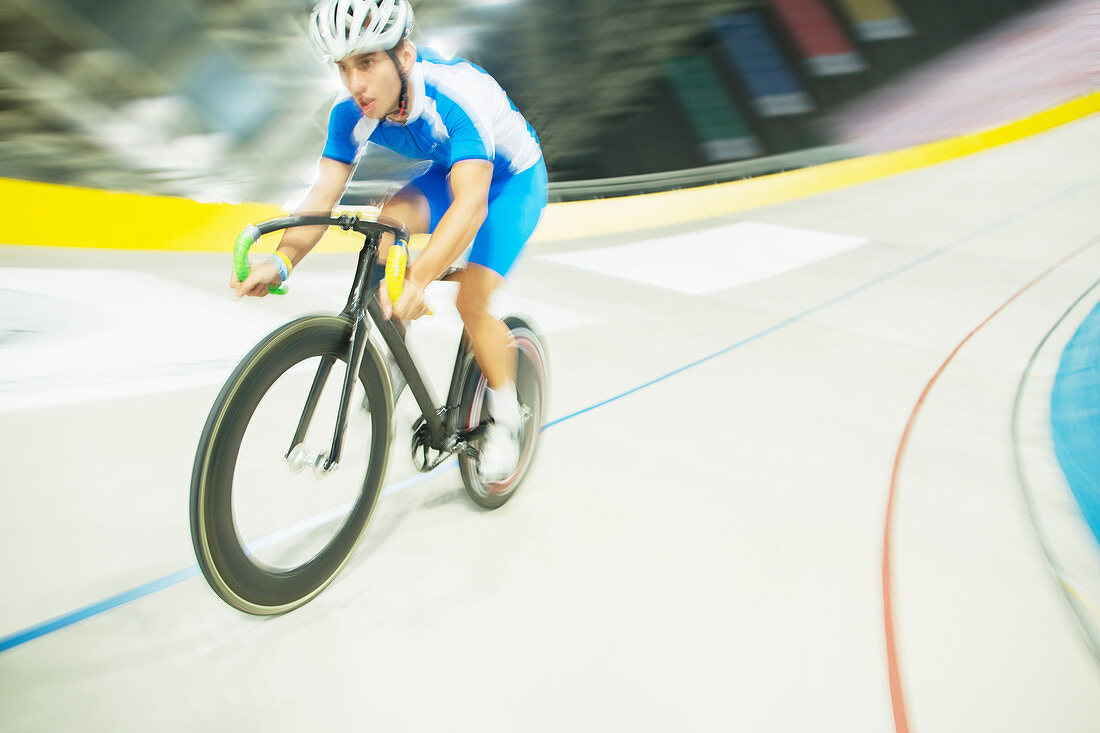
815	521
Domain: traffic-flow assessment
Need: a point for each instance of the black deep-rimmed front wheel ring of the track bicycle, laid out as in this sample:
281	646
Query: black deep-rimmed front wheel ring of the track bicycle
244	584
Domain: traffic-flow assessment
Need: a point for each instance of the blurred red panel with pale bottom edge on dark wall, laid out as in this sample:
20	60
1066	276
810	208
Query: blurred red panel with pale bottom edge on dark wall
823	42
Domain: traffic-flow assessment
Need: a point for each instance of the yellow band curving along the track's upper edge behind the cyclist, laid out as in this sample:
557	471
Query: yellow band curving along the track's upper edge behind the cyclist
129	222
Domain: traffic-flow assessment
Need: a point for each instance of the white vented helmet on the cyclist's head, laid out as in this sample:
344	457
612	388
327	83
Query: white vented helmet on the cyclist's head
343	28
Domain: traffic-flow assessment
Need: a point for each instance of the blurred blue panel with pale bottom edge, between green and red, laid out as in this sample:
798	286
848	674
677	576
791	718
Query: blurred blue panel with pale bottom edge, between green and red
766	75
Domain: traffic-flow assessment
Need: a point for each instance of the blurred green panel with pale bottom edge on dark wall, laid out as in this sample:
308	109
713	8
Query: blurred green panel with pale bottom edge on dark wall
721	129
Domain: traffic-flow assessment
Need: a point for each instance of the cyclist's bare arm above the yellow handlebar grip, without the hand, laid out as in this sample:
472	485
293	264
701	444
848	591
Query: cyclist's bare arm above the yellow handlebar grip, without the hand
470	181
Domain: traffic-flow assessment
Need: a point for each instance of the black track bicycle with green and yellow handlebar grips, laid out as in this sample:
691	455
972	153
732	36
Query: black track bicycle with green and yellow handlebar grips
294	454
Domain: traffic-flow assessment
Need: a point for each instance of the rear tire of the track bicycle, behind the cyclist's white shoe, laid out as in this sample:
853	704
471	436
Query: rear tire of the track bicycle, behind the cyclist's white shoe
532	388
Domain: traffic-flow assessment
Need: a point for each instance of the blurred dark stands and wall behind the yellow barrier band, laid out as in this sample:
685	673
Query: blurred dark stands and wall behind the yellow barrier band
223	101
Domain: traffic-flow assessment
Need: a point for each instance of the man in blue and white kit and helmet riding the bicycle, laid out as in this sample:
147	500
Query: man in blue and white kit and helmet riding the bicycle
488	182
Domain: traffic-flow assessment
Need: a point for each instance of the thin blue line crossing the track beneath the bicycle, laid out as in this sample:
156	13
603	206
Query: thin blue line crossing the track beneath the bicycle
135	594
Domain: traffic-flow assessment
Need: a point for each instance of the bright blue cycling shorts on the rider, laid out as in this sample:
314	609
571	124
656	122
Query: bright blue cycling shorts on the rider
515	205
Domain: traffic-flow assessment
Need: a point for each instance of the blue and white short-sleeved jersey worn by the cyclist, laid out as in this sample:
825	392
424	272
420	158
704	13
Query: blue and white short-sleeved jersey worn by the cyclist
459	113
